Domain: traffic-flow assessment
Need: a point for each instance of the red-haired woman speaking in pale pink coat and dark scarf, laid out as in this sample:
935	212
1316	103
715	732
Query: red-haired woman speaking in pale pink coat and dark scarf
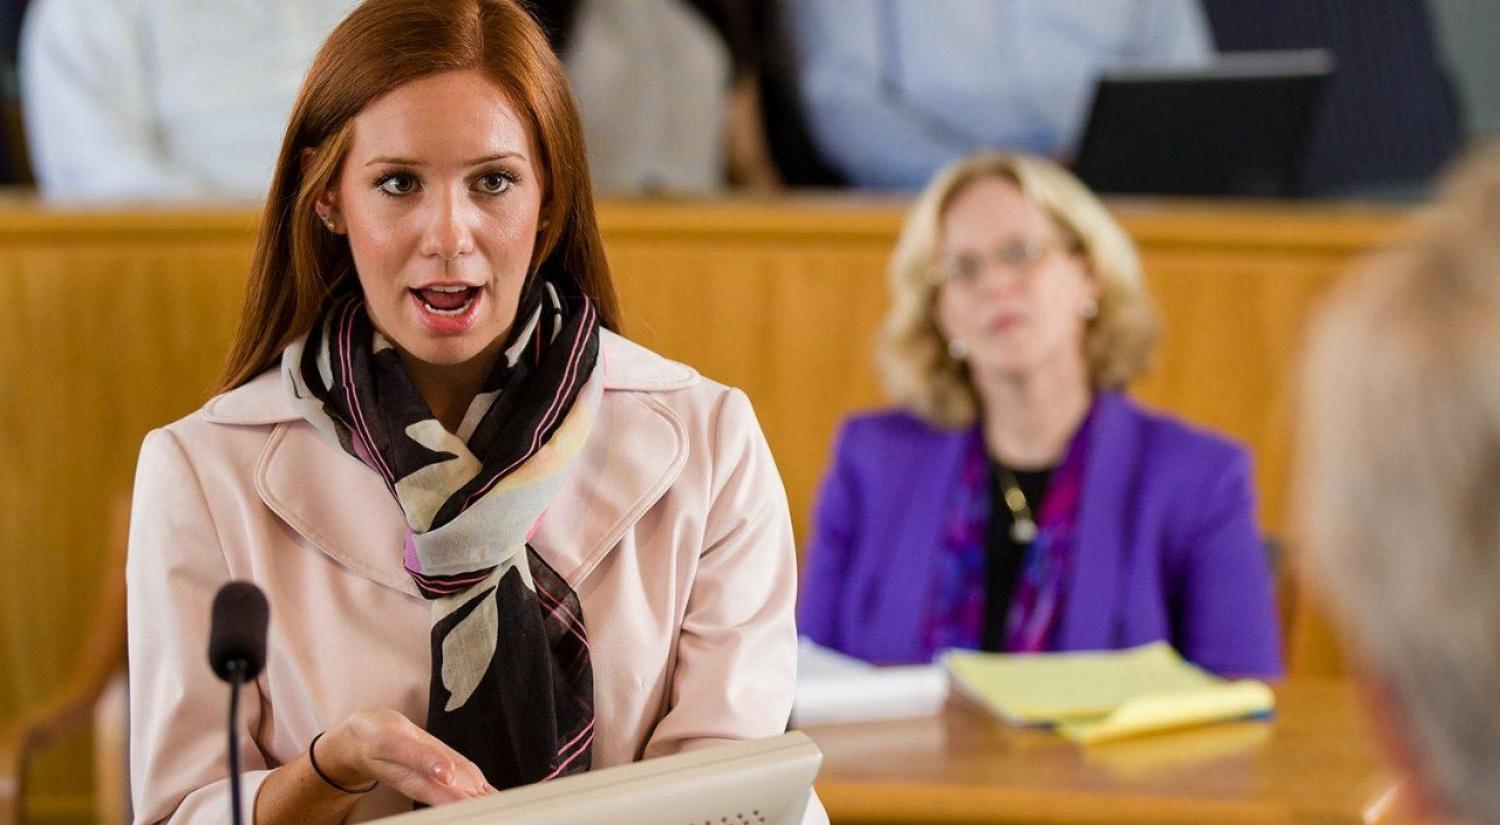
500	542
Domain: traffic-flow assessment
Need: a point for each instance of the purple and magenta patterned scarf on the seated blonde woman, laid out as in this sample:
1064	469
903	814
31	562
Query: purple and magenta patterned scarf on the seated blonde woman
961	601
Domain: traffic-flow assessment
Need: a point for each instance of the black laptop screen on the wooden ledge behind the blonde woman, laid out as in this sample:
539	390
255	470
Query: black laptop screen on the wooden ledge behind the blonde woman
1238	127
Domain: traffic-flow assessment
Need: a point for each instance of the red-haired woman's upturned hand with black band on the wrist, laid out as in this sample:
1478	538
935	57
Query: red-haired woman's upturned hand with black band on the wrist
386	746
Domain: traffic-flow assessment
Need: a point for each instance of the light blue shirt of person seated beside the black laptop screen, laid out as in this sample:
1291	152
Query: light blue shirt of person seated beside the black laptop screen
896	89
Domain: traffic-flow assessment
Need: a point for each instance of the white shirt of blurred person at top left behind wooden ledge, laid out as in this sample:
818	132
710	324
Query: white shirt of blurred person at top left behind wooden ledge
164	100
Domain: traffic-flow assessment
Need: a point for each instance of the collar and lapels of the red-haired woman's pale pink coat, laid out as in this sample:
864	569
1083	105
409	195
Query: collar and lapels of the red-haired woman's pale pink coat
344	509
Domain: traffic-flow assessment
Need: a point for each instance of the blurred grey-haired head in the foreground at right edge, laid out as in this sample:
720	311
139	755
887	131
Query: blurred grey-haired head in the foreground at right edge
1400	470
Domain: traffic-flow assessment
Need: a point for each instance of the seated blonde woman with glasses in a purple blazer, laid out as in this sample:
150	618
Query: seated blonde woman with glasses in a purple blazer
1016	500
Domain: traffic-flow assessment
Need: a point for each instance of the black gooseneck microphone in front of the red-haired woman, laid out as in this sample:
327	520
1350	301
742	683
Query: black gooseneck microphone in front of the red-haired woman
238	653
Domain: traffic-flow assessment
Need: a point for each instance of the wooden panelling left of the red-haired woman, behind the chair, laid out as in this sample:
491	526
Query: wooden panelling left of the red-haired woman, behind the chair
101	340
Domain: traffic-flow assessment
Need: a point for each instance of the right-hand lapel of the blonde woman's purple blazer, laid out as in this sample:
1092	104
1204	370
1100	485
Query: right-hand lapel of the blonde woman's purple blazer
1097	568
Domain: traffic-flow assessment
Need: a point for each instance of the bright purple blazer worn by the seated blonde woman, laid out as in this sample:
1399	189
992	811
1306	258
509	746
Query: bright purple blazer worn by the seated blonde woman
1168	542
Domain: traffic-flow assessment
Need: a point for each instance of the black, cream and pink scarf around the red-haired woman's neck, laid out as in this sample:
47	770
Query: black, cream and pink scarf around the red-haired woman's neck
512	686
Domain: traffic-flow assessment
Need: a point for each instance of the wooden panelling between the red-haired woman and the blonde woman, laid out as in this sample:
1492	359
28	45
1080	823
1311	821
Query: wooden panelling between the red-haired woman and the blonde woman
793	328
